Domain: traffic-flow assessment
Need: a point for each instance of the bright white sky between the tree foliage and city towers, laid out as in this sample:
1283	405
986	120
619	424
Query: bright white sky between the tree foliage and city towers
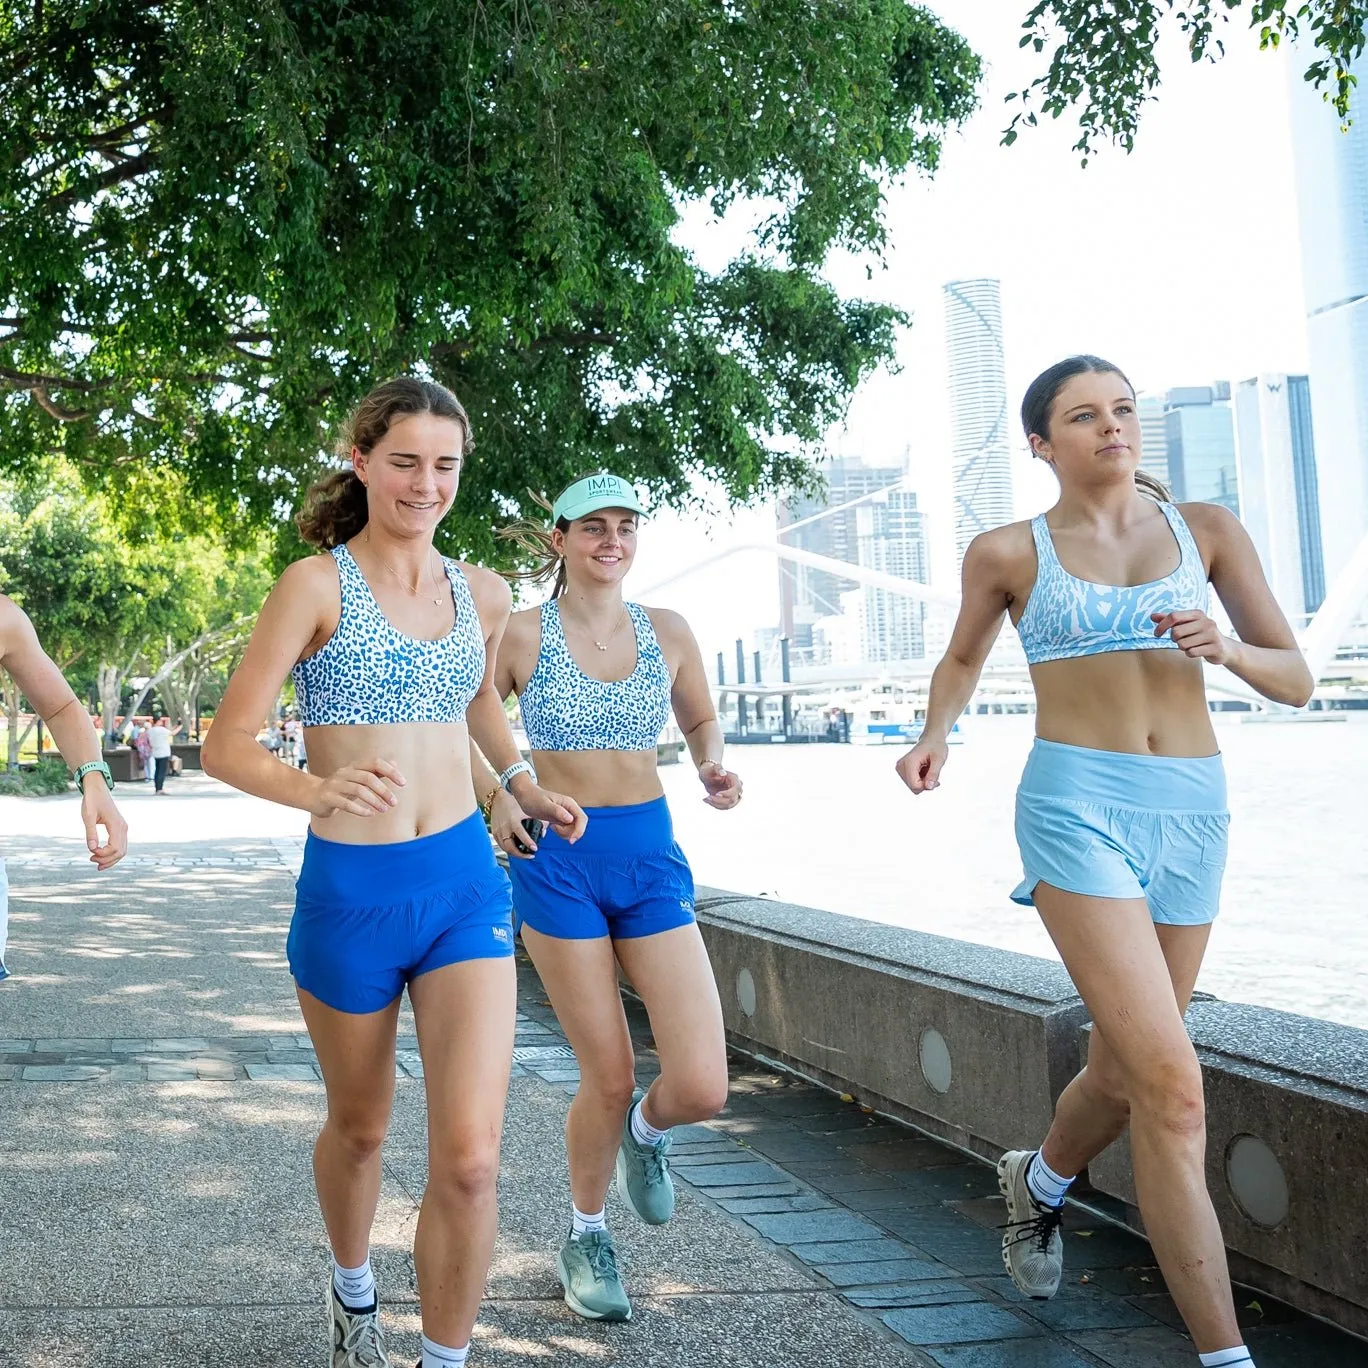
1181	263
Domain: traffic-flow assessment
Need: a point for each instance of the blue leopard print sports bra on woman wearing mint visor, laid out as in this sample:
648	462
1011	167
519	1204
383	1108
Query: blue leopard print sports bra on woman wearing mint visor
567	711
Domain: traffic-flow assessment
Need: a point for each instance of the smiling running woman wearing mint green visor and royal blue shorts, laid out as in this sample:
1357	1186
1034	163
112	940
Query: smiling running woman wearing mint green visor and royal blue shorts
597	679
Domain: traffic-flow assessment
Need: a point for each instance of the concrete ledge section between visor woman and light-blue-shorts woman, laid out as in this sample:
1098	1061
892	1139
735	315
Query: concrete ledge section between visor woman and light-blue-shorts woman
968	1043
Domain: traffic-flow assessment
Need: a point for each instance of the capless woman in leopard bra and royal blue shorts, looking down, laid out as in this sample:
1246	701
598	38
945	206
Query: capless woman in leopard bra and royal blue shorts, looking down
392	650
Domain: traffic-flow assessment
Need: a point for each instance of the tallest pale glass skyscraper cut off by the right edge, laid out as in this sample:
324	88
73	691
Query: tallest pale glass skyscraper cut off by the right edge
1333	207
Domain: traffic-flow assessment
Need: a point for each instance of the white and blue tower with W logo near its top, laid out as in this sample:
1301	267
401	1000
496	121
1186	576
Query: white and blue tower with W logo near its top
1277	474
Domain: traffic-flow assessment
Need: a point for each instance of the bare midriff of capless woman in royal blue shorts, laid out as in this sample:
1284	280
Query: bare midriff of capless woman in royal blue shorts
434	760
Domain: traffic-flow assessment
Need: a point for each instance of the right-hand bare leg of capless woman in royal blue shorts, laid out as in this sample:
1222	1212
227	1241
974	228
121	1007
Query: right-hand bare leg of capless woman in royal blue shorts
466	1018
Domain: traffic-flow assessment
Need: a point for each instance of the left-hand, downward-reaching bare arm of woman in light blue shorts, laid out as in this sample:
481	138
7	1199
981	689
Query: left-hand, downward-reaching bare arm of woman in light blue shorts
983	607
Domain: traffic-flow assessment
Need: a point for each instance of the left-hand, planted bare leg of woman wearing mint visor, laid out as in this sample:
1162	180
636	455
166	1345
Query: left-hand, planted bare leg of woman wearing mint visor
581	980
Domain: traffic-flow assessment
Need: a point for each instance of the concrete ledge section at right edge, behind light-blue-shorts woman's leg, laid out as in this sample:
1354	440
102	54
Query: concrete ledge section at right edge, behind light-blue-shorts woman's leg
1287	1154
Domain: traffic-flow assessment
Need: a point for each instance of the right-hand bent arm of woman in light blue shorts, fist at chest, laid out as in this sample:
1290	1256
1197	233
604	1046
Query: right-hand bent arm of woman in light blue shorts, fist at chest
1265	655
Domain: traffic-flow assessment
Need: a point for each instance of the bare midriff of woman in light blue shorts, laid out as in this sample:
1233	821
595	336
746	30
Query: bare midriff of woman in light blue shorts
1137	702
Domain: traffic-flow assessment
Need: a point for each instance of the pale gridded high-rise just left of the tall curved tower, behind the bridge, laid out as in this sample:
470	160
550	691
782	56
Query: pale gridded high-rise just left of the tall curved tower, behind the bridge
893	538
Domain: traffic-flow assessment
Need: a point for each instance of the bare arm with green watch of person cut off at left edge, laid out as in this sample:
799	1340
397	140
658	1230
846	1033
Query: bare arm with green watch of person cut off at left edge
70	726
